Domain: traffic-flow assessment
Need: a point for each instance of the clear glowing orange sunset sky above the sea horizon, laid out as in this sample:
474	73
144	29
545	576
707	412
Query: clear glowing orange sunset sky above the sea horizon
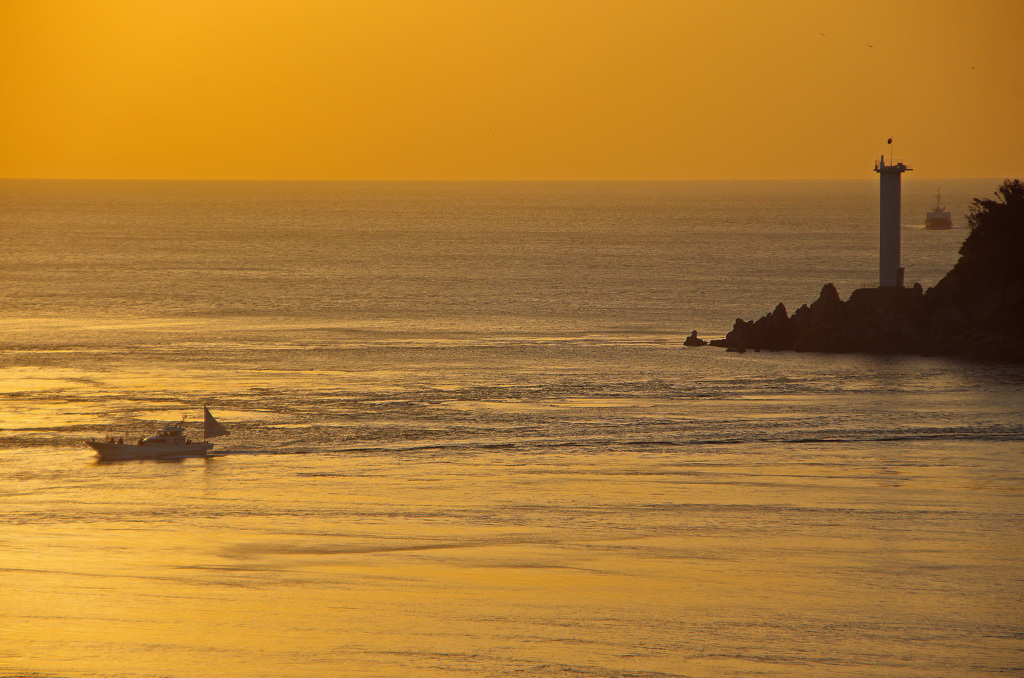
481	90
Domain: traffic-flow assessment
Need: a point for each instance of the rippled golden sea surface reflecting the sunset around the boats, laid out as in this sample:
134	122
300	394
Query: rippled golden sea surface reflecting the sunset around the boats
467	439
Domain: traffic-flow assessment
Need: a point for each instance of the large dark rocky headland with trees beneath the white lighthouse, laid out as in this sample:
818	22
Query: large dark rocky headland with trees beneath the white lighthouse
976	311
